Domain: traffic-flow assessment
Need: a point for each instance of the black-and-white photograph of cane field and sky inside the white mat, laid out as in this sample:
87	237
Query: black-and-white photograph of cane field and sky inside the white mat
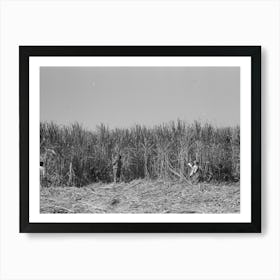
140	139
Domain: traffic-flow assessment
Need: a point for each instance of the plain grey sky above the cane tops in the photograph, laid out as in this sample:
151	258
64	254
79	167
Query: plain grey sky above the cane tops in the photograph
123	96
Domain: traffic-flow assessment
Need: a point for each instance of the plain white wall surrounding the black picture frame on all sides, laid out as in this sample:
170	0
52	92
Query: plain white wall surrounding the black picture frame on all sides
148	256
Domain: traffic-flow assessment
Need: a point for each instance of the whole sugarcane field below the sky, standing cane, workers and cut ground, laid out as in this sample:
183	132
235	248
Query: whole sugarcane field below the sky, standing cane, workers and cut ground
171	168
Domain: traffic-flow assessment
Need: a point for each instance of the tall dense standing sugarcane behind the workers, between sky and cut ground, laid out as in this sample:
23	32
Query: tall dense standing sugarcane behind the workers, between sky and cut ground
76	157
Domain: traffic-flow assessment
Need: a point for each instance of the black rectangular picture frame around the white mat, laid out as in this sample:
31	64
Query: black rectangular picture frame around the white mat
25	52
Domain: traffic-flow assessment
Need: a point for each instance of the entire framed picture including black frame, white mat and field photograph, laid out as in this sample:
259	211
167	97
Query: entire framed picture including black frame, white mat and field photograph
120	137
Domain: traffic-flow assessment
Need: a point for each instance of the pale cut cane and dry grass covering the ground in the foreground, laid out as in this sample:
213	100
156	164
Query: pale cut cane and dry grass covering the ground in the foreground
141	196
